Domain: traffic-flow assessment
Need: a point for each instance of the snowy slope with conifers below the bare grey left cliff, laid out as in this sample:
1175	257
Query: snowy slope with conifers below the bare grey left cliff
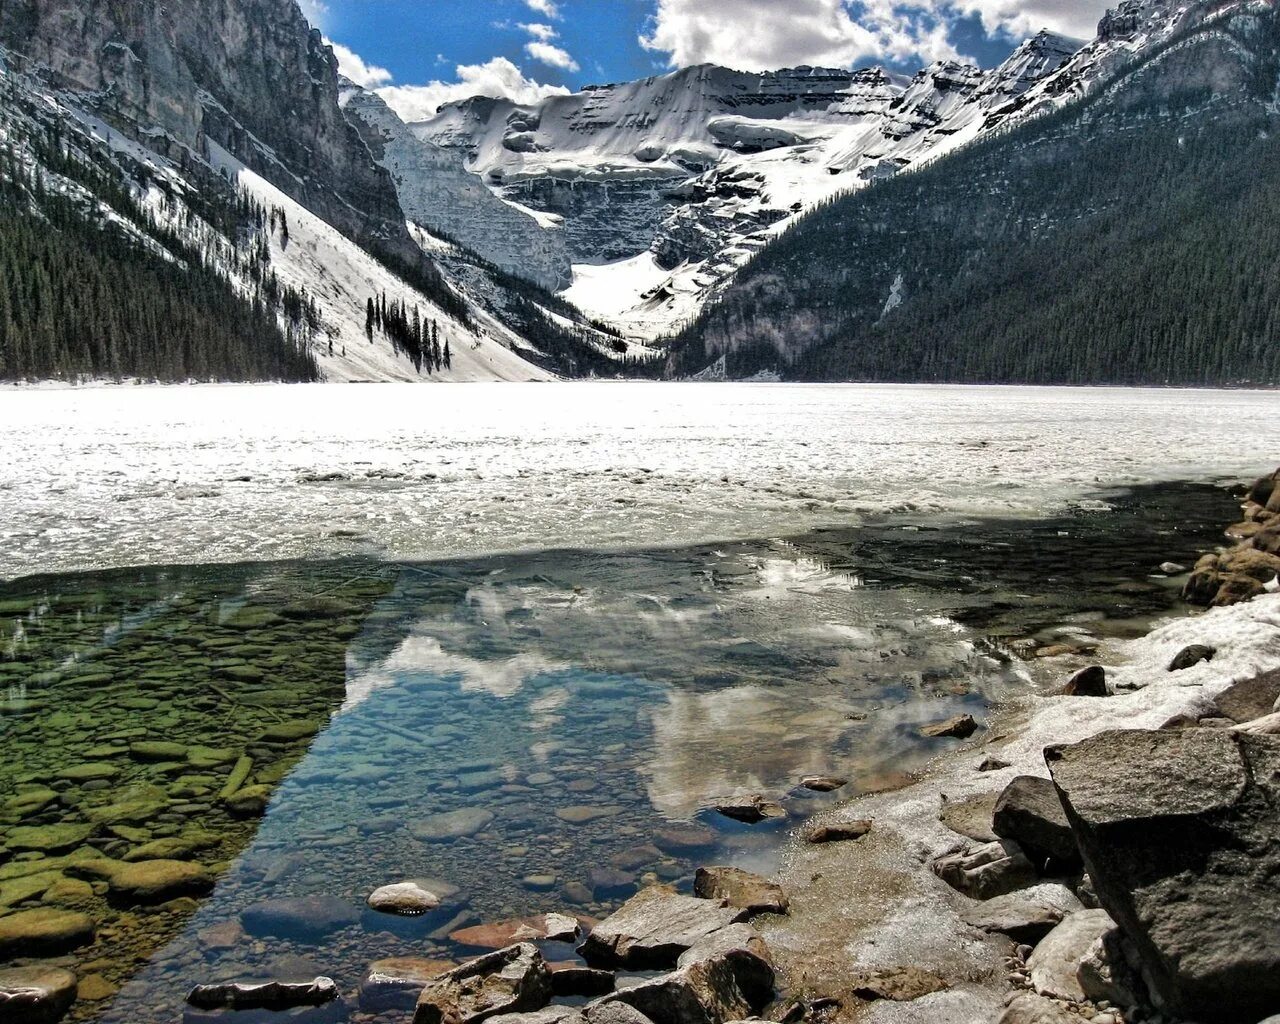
280	292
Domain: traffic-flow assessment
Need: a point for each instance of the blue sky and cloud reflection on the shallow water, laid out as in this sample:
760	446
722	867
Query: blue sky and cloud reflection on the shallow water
644	688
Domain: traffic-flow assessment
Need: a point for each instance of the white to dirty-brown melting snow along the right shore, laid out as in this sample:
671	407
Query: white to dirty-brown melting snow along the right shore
877	904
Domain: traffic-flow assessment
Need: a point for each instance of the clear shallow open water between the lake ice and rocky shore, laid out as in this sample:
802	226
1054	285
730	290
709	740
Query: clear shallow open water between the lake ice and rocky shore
632	691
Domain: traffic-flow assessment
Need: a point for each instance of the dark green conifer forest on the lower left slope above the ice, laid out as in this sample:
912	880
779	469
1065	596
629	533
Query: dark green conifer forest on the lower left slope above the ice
86	294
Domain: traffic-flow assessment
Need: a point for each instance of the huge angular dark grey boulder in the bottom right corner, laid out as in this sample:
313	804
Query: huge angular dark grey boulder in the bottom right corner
1181	834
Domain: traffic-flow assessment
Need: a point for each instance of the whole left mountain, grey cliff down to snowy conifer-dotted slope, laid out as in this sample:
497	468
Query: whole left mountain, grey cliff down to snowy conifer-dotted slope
209	136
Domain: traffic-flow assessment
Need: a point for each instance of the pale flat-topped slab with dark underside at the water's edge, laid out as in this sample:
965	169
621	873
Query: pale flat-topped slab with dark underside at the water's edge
655	927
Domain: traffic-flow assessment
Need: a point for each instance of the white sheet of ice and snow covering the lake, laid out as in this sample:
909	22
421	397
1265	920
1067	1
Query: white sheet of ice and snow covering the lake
130	476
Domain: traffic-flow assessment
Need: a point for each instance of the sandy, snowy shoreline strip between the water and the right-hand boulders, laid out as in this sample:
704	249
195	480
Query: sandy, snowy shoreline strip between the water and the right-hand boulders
877	904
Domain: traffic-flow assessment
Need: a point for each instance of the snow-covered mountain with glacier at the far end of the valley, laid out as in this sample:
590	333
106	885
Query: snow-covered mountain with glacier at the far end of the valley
668	185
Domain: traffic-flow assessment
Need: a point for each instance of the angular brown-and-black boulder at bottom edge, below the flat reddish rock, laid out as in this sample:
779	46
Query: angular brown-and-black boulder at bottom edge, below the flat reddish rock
513	981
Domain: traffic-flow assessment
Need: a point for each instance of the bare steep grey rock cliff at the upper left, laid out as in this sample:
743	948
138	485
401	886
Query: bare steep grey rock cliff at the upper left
250	76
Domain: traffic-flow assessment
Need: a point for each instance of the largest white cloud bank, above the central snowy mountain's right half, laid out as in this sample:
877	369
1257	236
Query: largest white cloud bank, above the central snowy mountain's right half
766	35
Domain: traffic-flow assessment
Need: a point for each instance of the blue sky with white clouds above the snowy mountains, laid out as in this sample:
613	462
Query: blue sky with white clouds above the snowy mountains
422	53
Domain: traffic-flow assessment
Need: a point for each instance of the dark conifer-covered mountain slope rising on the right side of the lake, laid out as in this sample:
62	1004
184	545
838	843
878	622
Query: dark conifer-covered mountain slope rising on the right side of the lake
1128	236
